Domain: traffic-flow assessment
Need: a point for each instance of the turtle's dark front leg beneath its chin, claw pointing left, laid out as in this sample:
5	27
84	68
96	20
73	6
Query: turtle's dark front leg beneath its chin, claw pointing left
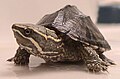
21	57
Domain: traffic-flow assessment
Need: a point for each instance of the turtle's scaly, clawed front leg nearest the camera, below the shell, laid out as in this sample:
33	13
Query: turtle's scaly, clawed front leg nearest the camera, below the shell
92	60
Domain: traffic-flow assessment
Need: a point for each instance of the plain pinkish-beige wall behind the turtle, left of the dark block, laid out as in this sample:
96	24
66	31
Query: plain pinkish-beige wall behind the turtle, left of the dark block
30	11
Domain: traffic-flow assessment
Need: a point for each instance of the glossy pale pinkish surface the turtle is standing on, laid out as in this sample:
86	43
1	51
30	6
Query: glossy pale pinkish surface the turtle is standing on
36	70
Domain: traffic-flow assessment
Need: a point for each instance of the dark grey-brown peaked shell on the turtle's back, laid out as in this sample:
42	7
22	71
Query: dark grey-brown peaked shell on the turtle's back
76	25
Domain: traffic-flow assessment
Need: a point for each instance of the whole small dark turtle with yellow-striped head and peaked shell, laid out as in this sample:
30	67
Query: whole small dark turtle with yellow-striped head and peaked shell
66	35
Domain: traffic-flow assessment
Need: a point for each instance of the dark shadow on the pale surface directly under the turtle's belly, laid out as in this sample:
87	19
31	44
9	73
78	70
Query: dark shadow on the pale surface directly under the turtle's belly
60	66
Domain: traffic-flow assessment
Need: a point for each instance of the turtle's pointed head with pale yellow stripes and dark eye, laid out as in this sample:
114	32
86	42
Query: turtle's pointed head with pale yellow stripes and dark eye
30	37
